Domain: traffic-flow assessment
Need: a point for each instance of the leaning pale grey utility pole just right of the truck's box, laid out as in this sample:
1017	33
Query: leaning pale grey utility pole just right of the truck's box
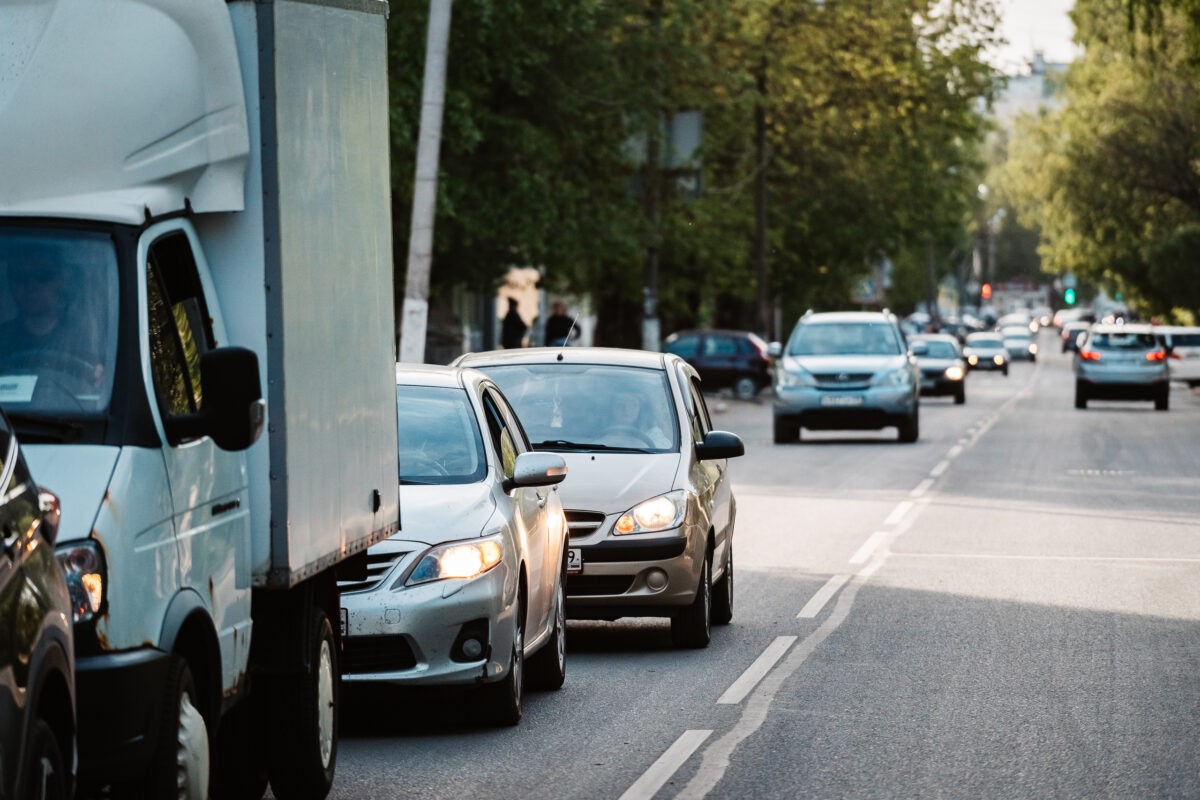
415	318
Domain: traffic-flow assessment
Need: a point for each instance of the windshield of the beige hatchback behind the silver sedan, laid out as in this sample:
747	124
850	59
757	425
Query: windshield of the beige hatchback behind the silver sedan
592	407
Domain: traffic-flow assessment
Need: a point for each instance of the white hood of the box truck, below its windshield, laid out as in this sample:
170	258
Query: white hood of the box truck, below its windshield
80	477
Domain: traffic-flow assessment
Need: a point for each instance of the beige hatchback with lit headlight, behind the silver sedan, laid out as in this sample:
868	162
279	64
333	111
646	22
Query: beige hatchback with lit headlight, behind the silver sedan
650	504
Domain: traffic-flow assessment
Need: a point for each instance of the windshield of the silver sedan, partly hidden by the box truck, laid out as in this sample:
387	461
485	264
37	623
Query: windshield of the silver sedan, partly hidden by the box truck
440	440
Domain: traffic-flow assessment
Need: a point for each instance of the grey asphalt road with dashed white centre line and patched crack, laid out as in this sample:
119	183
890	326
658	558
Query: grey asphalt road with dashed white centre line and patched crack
1007	609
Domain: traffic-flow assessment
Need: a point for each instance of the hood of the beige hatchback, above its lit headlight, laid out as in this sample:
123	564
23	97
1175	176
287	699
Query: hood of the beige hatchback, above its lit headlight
615	483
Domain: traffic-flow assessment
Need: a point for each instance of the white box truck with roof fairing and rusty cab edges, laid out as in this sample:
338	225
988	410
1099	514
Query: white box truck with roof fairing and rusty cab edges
197	345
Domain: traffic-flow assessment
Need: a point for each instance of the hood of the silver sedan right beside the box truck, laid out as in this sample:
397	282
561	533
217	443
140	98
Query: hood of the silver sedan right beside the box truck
443	514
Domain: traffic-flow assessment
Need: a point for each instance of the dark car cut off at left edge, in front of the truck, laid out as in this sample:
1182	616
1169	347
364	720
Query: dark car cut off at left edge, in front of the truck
37	658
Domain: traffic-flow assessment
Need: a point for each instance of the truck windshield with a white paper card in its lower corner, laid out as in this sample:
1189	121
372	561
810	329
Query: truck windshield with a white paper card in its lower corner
58	321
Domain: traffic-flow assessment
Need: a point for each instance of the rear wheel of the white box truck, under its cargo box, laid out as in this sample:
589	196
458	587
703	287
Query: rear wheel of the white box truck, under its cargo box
304	713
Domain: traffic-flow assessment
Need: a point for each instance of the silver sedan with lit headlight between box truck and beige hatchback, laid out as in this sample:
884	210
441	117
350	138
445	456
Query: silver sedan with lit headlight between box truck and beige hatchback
472	591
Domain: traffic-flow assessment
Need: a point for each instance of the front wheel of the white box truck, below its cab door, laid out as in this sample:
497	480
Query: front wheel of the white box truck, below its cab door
179	766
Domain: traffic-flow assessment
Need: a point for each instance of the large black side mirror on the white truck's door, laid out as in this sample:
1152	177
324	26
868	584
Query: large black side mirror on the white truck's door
233	411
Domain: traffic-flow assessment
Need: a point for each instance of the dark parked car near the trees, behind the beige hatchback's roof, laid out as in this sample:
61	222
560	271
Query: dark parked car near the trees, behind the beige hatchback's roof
736	360
